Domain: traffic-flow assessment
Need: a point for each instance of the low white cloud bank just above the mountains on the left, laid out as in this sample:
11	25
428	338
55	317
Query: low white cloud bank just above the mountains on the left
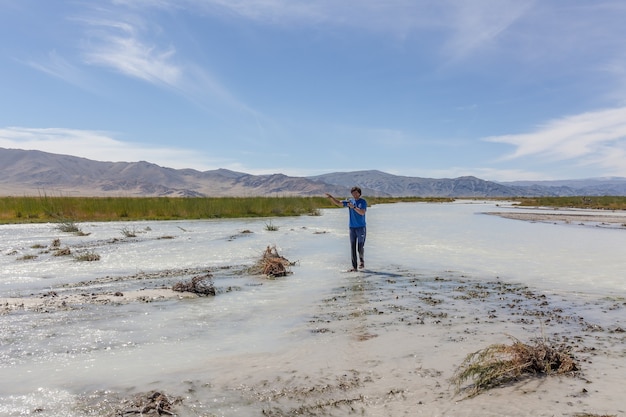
101	146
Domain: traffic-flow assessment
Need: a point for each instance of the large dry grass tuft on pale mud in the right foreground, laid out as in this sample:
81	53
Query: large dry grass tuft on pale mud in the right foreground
499	363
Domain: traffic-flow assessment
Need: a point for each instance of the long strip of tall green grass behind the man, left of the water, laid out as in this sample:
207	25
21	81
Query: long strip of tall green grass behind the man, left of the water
79	209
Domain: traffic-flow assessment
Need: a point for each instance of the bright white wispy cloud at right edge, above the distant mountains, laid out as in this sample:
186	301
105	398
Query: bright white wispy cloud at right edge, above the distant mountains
593	137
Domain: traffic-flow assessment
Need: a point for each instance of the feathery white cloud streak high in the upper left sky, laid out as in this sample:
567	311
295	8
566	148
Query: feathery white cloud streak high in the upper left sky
124	40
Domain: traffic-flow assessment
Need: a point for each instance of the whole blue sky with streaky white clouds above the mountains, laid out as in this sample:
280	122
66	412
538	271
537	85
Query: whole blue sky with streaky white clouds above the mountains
500	89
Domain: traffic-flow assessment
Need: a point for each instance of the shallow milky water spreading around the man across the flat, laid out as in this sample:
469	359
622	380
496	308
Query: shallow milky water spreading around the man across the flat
50	360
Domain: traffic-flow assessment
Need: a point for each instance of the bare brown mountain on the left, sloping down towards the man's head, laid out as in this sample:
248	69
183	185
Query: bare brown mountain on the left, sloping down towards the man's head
36	173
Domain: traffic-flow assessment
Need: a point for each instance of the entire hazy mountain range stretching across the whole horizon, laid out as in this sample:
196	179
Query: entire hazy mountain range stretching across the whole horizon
30	172
